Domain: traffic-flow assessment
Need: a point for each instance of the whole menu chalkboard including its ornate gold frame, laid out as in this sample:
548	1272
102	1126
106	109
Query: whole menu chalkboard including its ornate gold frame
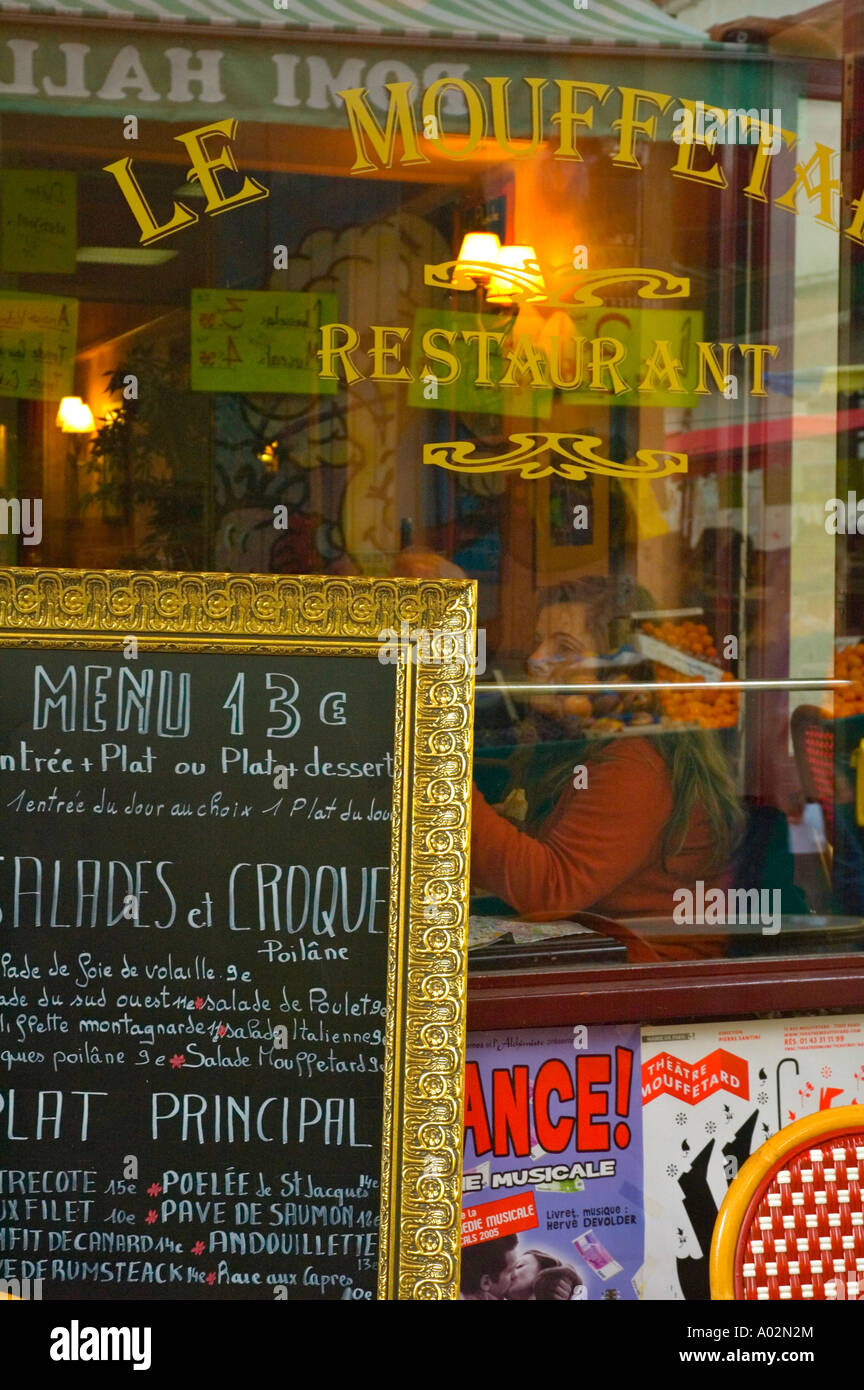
233	906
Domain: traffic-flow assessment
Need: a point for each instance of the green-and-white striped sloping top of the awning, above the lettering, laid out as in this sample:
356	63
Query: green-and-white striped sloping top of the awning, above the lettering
633	23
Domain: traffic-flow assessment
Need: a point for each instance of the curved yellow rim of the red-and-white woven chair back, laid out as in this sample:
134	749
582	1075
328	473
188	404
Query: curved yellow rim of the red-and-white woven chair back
737	1203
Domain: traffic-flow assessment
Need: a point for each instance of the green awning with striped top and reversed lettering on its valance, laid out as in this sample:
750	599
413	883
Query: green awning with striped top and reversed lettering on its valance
245	59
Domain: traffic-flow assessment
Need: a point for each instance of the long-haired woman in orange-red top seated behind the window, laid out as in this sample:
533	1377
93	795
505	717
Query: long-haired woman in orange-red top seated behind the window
644	817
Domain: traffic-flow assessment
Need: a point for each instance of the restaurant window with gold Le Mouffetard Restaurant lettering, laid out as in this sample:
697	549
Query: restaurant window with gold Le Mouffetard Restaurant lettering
565	305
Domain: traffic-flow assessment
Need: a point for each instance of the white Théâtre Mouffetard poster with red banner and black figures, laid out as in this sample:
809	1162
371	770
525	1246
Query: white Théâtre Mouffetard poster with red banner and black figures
712	1095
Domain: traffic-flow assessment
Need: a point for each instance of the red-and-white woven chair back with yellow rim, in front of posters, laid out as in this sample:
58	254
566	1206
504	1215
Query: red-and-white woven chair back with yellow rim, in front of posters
792	1223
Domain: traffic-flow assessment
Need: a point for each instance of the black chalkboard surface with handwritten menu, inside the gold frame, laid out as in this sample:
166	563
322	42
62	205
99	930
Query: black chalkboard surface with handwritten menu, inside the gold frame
194	883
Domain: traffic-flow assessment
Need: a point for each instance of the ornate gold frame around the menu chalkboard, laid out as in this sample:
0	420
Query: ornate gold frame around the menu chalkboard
429	913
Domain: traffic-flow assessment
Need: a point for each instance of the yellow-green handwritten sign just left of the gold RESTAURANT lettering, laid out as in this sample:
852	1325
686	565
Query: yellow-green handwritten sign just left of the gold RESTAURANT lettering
259	341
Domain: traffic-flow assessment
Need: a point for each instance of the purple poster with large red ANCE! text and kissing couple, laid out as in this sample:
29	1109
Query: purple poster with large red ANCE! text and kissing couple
552	1185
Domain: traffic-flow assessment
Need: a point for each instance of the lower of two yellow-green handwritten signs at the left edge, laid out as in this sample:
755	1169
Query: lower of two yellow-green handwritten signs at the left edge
38	336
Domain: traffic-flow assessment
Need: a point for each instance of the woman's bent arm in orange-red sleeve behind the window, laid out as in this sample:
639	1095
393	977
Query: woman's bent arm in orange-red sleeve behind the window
595	839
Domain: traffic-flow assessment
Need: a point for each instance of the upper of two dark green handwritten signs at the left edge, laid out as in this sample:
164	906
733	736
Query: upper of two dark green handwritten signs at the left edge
38	222
